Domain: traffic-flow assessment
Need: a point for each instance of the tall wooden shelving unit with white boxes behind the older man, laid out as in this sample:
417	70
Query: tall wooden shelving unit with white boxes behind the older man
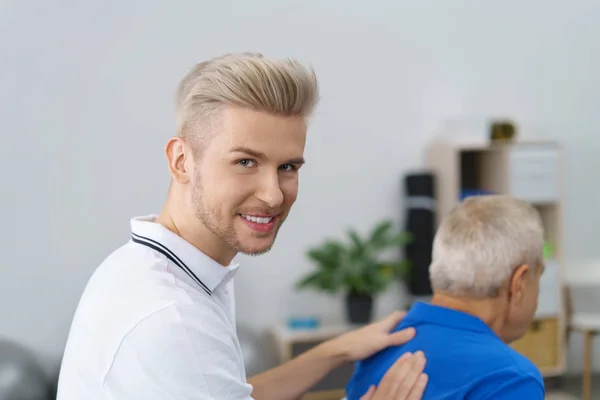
530	171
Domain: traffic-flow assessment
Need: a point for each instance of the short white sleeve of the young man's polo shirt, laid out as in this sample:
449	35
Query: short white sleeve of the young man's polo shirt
174	356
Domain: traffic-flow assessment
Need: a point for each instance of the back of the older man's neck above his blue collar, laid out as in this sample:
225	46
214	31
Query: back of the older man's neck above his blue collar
490	311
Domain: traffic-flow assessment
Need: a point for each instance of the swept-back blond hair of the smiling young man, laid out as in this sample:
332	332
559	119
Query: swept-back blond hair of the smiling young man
249	80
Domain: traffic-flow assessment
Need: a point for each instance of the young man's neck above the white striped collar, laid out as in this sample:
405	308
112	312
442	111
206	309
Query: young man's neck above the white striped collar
193	231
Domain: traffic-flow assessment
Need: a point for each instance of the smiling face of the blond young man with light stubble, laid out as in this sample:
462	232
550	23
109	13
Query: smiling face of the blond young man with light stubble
245	180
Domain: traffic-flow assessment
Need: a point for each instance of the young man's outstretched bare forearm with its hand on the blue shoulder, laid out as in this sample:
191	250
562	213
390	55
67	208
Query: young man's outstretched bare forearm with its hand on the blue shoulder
292	379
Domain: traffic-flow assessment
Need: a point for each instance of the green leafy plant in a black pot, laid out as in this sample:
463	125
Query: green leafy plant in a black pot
357	268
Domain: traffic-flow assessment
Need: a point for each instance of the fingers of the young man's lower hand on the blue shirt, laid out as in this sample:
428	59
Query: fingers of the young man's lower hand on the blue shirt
402	377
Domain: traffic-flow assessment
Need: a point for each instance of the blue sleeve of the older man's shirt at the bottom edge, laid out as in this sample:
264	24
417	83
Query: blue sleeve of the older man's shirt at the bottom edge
510	386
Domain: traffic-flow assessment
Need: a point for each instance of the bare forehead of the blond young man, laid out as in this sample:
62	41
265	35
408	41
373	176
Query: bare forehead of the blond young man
260	131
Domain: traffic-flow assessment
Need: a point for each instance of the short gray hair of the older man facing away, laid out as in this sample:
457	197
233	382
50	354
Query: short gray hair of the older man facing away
481	241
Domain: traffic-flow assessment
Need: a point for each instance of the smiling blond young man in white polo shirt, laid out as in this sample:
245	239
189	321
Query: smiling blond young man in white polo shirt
157	320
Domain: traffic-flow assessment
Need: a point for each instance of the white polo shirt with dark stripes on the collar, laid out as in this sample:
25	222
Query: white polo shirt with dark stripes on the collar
156	322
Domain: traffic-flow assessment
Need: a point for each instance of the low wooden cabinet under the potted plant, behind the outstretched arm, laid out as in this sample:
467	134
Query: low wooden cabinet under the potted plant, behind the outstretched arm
290	343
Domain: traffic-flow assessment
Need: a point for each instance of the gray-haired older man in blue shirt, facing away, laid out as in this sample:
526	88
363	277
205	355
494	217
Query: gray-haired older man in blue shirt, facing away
485	274
